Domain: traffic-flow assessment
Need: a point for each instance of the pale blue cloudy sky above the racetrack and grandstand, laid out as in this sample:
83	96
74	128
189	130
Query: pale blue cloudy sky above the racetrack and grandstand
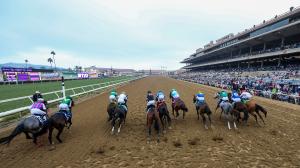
137	34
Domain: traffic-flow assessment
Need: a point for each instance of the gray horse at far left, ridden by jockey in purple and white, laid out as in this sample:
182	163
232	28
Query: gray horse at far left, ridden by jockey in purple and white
28	125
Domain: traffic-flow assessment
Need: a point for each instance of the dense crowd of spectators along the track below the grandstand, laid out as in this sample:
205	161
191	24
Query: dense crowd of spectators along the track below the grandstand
283	84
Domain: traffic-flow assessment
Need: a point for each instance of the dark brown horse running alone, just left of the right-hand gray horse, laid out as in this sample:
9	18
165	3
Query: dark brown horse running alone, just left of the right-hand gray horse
202	109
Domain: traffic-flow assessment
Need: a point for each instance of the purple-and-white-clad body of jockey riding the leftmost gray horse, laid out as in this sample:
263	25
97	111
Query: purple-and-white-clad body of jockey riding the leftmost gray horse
39	110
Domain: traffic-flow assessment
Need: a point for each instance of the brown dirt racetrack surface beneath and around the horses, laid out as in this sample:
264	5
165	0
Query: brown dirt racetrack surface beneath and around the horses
89	143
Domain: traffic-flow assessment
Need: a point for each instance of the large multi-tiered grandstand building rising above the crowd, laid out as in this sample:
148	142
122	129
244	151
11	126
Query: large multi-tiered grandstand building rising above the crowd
273	43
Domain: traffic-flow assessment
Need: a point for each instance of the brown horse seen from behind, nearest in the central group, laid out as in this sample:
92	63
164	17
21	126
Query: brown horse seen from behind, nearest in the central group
152	115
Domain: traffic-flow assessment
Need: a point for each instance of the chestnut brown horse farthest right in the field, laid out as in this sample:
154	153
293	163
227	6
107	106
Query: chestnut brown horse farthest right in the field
253	107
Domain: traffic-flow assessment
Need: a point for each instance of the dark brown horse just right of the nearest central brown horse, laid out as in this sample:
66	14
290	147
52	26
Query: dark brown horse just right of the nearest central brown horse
164	115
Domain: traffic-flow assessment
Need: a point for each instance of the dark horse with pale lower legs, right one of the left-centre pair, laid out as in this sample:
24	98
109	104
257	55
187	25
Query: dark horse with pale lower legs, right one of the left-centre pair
120	116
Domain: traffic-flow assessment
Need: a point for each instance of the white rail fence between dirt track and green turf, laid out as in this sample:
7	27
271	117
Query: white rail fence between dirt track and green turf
94	86
